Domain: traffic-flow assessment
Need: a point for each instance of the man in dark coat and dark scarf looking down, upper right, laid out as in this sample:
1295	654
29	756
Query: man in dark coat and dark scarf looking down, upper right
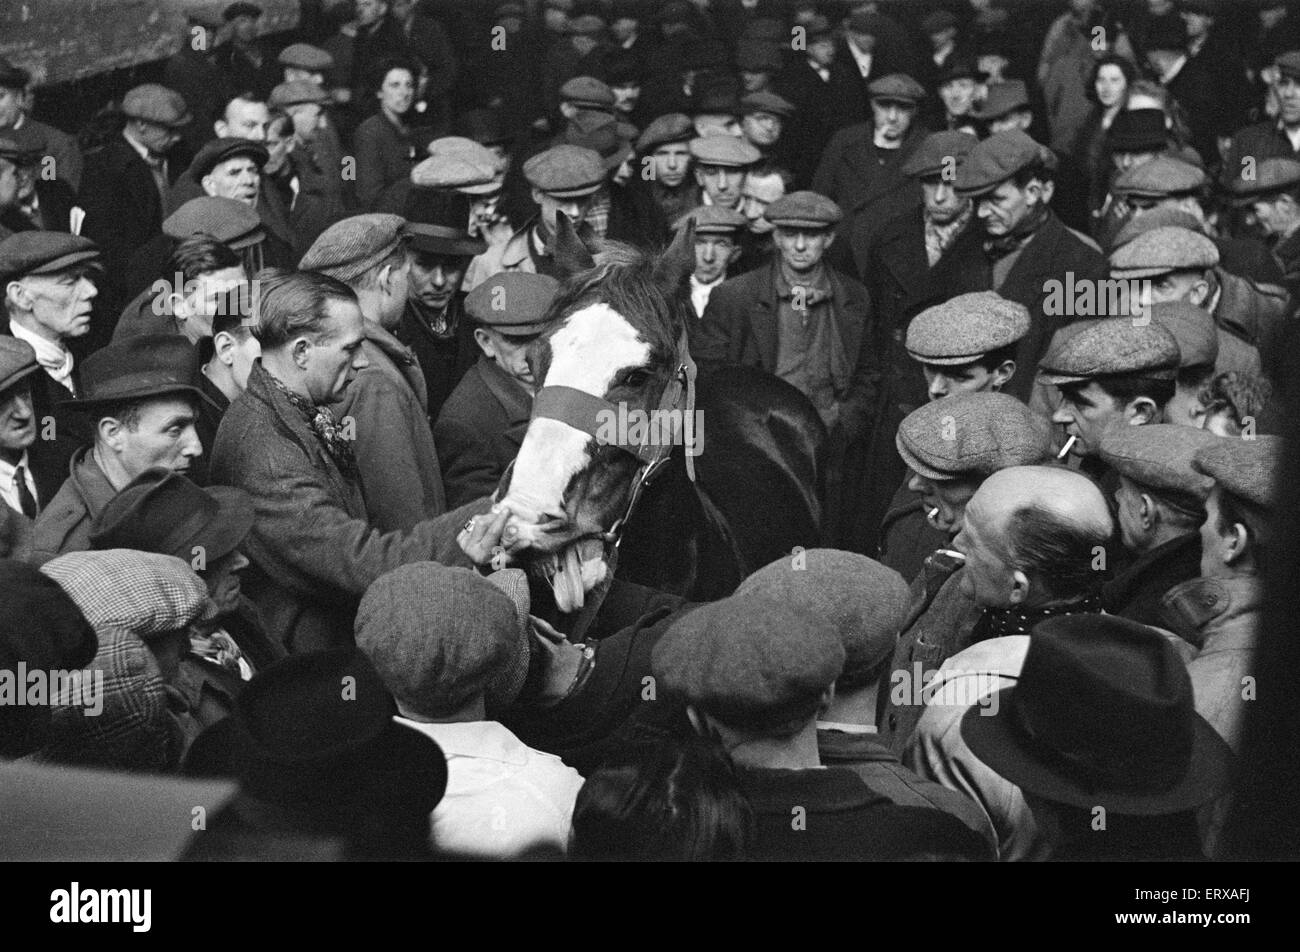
1011	180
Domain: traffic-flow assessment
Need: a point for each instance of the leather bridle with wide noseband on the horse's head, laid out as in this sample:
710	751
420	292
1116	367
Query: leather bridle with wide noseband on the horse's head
584	412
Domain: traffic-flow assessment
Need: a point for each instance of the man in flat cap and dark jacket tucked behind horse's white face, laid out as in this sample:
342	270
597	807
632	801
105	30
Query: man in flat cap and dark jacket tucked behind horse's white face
483	423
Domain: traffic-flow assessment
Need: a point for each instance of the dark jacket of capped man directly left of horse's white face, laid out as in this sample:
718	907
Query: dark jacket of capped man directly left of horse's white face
480	431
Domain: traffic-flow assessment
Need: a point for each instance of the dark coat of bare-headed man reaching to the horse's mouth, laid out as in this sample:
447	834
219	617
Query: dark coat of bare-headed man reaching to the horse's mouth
314	551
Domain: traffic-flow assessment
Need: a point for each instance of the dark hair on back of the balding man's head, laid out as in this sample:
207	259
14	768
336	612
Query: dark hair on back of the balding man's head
1055	552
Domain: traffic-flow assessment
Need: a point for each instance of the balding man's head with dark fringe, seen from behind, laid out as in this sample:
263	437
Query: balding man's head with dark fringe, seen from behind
1034	536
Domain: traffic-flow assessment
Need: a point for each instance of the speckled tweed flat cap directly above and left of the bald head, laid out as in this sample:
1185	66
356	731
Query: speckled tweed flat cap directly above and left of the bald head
970	435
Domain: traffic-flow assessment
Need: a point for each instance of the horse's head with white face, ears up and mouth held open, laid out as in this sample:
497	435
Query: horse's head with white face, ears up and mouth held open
613	356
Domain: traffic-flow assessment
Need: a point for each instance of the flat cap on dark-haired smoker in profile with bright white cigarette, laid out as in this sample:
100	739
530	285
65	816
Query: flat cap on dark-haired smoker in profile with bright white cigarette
1110	348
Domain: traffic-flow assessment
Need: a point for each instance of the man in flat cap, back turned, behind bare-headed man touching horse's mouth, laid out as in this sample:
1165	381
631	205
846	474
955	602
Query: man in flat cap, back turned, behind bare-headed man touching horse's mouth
388	404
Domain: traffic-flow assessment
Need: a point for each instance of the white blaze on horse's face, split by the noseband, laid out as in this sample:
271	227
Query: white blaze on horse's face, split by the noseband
587	353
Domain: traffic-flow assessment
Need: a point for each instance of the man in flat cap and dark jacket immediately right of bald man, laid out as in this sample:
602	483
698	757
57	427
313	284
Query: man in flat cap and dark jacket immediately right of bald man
1160	507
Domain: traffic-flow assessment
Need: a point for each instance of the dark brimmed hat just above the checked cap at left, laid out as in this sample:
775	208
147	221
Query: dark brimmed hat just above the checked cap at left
166	513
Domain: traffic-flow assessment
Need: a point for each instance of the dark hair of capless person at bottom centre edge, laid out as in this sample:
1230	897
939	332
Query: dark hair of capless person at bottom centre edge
678	800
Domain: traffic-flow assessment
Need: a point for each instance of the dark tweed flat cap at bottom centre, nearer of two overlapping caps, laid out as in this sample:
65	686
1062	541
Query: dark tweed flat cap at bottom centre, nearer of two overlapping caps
751	661
